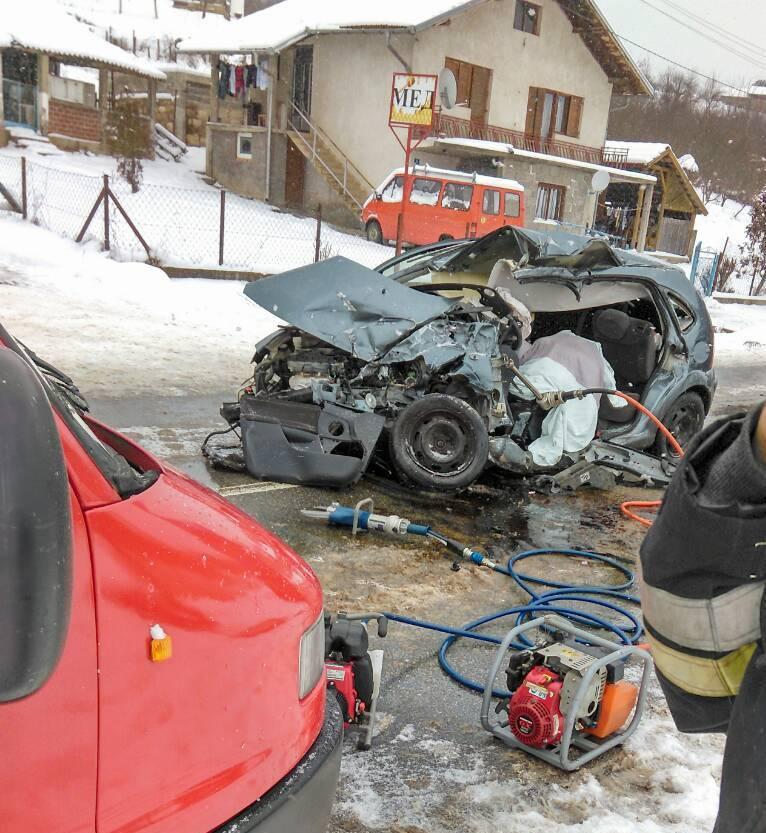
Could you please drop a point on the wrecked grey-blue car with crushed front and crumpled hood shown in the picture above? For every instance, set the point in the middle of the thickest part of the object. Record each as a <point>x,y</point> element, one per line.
<point>421,364</point>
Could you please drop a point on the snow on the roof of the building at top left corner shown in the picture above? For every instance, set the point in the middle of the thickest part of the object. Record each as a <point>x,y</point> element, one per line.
<point>42,27</point>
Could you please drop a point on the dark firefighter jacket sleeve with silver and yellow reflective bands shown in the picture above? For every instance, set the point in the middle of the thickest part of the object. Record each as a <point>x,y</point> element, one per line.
<point>703,571</point>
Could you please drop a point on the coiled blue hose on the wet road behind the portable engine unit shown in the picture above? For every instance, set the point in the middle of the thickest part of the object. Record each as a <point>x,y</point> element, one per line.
<point>611,598</point>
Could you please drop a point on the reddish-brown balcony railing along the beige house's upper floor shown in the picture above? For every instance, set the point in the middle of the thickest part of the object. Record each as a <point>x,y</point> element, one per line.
<point>450,127</point>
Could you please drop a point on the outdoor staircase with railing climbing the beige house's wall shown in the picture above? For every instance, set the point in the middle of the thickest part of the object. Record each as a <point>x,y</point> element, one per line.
<point>340,173</point>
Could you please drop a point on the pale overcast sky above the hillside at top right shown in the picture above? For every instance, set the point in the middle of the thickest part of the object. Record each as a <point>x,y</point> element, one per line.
<point>740,25</point>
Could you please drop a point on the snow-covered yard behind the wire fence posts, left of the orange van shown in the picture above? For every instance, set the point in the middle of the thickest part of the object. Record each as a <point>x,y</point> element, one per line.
<point>176,211</point>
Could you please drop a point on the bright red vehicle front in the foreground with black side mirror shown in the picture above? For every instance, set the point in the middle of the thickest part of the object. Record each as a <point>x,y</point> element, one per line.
<point>161,654</point>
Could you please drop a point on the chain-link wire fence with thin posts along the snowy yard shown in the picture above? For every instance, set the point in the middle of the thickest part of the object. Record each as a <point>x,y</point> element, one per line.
<point>203,228</point>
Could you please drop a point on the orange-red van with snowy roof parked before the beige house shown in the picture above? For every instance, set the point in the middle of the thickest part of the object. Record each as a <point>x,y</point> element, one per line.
<point>442,205</point>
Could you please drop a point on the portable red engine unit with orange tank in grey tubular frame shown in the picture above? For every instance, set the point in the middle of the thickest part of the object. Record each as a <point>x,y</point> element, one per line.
<point>567,692</point>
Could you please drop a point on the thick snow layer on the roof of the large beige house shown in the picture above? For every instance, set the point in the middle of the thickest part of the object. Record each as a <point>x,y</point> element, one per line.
<point>276,27</point>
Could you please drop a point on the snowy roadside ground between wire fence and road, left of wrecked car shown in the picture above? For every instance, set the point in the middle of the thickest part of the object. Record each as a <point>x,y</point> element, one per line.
<point>121,328</point>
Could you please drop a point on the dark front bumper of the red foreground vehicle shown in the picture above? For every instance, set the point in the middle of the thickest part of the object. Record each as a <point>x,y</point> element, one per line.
<point>302,801</point>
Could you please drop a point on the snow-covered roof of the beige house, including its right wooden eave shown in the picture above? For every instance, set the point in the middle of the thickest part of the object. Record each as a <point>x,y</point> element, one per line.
<point>284,24</point>
